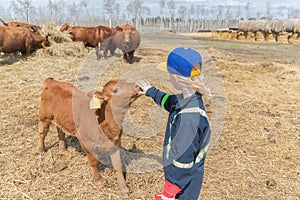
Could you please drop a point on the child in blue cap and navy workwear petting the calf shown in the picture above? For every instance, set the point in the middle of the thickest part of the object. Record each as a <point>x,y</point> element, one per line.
<point>188,132</point>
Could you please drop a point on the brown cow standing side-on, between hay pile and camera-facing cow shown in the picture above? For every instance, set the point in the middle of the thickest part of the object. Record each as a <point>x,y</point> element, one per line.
<point>90,36</point>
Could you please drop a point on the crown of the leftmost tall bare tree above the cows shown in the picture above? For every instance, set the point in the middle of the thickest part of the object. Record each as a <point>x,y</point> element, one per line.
<point>23,9</point>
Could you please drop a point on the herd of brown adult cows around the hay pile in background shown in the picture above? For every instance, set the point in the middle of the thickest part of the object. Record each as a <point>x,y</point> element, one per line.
<point>26,38</point>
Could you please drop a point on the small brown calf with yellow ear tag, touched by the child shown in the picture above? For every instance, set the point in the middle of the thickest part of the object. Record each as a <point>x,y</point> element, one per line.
<point>98,130</point>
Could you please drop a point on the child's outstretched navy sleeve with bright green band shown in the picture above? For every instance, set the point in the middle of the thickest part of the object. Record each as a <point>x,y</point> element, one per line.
<point>163,99</point>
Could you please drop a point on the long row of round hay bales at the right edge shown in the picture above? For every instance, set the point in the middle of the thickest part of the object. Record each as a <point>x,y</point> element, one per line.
<point>265,30</point>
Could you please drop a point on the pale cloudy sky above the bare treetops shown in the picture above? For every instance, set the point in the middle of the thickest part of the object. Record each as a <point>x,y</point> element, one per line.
<point>256,5</point>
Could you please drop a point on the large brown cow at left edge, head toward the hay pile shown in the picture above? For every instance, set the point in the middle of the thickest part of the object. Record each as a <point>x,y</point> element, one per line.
<point>14,39</point>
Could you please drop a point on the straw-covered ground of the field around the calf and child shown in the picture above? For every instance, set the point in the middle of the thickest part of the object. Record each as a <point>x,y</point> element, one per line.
<point>257,154</point>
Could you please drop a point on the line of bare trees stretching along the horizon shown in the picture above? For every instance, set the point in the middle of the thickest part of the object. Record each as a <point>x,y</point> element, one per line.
<point>171,16</point>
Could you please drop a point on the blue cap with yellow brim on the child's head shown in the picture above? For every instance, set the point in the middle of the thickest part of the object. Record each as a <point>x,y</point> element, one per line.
<point>183,62</point>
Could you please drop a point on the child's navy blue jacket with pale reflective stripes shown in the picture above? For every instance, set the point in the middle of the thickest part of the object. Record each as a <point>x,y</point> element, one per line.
<point>187,135</point>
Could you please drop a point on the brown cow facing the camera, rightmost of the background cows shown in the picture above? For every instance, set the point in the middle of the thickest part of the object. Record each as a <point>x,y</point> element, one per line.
<point>127,38</point>
